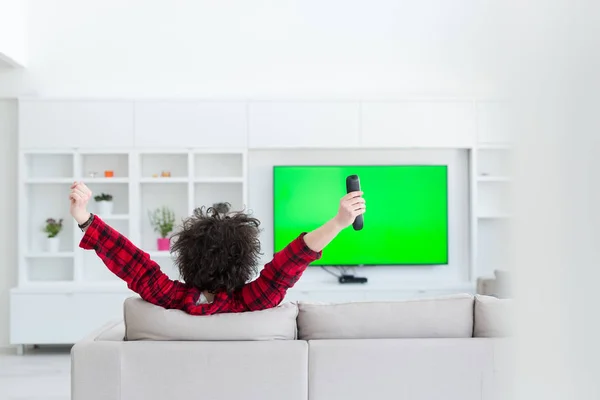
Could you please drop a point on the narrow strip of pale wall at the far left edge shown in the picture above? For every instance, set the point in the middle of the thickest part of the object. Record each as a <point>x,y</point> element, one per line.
<point>8,206</point>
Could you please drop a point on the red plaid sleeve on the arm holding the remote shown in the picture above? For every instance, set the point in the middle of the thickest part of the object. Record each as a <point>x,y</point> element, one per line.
<point>280,274</point>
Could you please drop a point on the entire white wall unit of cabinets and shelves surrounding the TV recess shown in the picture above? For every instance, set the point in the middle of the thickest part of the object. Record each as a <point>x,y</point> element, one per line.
<point>203,145</point>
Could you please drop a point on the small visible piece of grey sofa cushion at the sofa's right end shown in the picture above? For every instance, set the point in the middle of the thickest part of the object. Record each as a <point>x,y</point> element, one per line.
<point>492,316</point>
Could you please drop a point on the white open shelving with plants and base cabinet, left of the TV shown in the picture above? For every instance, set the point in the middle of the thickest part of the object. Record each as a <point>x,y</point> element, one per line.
<point>63,282</point>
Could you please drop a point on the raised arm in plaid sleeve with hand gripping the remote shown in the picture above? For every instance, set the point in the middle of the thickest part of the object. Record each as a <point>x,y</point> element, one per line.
<point>287,266</point>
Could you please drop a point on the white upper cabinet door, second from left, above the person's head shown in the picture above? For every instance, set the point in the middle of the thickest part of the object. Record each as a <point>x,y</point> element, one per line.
<point>190,124</point>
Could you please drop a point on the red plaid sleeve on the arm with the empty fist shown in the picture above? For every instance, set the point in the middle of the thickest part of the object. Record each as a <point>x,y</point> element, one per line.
<point>132,265</point>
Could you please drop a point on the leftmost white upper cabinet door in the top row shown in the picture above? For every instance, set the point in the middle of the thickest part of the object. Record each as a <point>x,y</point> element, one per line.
<point>50,124</point>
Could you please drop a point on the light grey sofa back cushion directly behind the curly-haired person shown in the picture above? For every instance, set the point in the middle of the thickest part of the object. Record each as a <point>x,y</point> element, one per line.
<point>145,321</point>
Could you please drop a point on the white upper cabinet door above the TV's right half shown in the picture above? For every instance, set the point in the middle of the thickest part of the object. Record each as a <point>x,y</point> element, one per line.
<point>418,124</point>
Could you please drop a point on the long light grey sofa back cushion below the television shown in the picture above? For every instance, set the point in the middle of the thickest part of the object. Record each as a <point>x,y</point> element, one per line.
<point>444,317</point>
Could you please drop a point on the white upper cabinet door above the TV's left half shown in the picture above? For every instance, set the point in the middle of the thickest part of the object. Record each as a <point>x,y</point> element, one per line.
<point>304,124</point>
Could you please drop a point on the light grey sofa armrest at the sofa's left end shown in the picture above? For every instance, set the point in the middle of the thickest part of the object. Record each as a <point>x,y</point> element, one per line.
<point>96,366</point>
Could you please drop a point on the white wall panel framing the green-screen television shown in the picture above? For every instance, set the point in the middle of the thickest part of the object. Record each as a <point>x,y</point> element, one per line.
<point>260,198</point>
